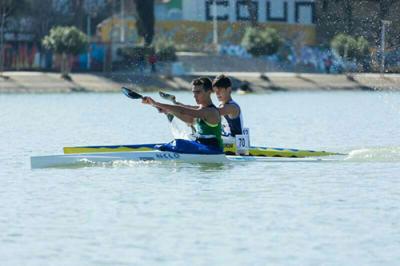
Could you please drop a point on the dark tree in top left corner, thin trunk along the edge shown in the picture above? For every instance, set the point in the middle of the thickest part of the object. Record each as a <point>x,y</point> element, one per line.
<point>8,8</point>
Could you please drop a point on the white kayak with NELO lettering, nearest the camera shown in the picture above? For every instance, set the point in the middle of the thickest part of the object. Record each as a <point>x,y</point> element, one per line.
<point>88,159</point>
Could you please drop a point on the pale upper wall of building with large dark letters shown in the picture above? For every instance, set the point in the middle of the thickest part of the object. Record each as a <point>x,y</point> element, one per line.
<point>284,11</point>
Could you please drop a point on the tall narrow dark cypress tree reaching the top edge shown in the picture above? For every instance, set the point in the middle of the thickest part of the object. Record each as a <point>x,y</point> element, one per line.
<point>145,20</point>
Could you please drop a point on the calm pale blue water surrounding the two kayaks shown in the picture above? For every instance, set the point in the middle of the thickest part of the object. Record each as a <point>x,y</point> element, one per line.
<point>330,213</point>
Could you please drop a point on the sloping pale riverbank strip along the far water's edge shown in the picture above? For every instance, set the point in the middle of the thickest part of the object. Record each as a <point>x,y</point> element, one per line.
<point>44,82</point>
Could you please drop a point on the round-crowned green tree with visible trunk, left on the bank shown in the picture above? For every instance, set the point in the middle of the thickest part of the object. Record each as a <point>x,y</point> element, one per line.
<point>66,41</point>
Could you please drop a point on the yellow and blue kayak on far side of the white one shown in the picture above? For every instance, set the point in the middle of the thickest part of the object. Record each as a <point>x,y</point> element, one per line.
<point>229,149</point>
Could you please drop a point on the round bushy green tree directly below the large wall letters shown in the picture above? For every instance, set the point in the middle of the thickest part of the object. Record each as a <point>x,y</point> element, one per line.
<point>260,42</point>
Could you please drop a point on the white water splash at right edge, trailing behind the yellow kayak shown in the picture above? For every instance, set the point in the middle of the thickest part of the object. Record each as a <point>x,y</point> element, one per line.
<point>378,154</point>
